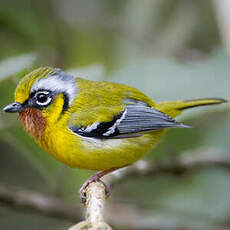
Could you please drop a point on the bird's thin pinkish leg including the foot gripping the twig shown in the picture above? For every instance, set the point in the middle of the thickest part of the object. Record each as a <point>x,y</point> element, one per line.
<point>94,178</point>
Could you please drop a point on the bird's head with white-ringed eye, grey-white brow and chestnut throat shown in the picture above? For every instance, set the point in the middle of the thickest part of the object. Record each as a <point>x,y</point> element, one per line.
<point>41,97</point>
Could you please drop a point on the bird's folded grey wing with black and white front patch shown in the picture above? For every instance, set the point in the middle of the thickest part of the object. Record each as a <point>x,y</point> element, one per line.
<point>132,121</point>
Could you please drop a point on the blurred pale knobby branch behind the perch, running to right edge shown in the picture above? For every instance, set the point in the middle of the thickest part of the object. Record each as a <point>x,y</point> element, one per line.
<point>188,162</point>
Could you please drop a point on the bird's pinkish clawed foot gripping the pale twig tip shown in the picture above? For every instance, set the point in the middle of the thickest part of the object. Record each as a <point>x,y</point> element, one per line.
<point>94,178</point>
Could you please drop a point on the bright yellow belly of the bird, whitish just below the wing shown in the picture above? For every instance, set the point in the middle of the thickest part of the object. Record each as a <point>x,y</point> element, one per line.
<point>95,154</point>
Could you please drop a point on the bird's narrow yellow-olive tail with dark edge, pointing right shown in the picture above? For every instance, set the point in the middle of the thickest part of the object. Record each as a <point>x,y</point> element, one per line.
<point>174,108</point>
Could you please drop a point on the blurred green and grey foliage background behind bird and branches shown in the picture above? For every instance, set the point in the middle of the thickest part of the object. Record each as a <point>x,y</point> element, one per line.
<point>170,49</point>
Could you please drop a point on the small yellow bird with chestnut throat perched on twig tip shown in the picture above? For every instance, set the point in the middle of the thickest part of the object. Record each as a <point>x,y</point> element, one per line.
<point>93,125</point>
